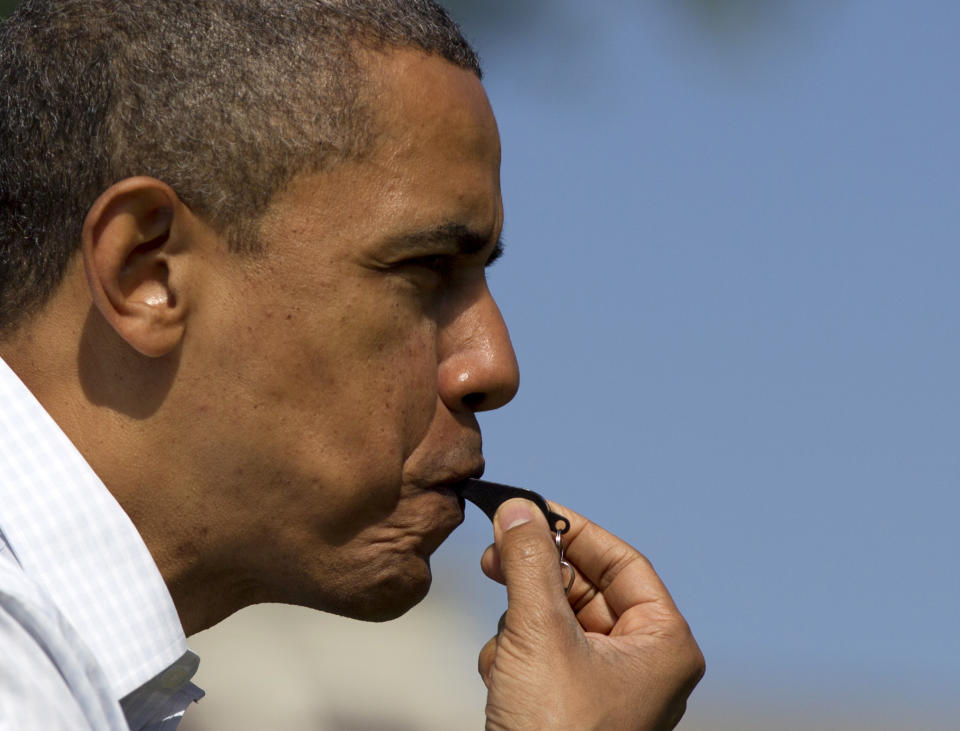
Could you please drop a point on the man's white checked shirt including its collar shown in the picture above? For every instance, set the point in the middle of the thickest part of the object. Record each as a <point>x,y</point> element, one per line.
<point>86,620</point>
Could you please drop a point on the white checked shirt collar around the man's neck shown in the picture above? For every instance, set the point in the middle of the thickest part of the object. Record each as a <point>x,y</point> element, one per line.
<point>72,537</point>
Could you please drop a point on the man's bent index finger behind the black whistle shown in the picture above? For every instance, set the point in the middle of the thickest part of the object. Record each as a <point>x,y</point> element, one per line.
<point>620,572</point>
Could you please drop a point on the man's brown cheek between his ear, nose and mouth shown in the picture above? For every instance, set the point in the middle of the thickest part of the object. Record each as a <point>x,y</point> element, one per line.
<point>325,404</point>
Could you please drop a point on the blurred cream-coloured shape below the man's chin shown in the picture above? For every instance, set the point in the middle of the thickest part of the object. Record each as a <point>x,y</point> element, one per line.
<point>274,666</point>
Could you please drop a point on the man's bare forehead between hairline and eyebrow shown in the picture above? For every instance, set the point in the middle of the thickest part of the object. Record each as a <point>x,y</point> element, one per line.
<point>433,159</point>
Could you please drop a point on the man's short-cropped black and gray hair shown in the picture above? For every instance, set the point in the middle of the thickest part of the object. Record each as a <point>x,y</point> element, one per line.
<point>224,100</point>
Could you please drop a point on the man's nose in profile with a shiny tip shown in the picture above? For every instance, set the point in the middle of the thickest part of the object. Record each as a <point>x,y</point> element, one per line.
<point>478,369</point>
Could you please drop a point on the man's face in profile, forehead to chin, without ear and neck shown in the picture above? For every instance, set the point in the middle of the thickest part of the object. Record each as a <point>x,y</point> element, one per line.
<point>350,359</point>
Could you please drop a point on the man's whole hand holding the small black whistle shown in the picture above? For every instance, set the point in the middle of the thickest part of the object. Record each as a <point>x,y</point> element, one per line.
<point>615,653</point>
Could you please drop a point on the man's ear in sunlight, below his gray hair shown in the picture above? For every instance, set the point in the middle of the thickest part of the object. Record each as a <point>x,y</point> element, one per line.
<point>133,249</point>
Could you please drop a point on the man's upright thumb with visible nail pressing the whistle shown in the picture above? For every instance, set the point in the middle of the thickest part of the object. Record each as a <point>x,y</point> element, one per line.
<point>530,566</point>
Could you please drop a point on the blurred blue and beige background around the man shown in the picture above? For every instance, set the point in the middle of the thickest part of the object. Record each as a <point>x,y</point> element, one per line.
<point>731,279</point>
